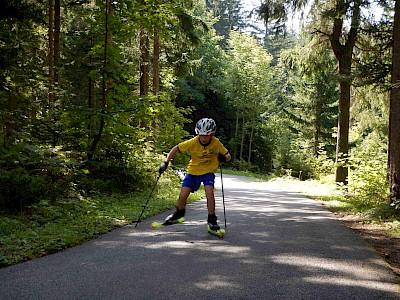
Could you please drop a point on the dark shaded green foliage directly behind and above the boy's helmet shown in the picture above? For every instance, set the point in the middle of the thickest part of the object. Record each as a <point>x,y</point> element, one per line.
<point>202,90</point>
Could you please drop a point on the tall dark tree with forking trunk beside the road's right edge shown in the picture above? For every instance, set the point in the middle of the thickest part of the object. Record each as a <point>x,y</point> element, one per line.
<point>340,22</point>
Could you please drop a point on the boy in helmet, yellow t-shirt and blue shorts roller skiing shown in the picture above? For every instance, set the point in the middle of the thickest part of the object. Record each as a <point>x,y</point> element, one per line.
<point>206,151</point>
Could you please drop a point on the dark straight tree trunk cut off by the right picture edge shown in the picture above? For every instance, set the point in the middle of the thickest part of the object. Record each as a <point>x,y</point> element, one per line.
<point>394,116</point>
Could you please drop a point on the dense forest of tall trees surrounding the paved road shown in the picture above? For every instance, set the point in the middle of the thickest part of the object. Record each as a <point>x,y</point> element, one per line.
<point>94,93</point>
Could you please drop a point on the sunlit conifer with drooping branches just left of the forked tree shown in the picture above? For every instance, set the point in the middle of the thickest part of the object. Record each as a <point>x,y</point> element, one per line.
<point>311,110</point>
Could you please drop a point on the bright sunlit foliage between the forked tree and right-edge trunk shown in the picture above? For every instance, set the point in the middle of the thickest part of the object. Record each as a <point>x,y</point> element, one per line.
<point>368,180</point>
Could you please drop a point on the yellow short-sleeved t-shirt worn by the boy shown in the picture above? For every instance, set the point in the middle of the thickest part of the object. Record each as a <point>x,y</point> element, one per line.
<point>203,159</point>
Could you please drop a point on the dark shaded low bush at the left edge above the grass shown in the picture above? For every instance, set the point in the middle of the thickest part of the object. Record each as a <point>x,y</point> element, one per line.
<point>30,173</point>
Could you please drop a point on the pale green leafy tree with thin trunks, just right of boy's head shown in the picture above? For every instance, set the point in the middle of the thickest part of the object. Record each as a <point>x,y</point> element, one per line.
<point>249,75</point>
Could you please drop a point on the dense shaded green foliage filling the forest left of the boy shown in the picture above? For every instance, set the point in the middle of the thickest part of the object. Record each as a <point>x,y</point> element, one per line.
<point>98,135</point>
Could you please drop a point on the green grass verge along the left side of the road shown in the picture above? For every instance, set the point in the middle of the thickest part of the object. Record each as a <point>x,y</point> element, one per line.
<point>49,227</point>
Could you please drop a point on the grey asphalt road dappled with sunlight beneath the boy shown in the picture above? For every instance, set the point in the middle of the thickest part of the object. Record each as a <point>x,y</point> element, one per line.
<point>278,245</point>
